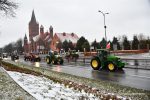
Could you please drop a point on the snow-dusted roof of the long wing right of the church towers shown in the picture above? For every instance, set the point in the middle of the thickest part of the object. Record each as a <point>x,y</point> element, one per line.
<point>68,36</point>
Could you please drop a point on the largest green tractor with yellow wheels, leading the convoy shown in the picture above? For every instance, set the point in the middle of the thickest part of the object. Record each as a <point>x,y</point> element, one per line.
<point>104,60</point>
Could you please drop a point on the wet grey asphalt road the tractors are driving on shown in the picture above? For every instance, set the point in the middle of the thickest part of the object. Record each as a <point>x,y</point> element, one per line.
<point>136,78</point>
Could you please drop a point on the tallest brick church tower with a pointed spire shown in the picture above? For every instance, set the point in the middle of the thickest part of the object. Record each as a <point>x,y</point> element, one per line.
<point>33,27</point>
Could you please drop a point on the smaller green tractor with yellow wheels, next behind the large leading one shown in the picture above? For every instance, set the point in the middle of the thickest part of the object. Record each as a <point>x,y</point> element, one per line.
<point>54,58</point>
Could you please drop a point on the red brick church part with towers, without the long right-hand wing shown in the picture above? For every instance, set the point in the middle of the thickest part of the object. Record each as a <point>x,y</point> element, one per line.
<point>39,41</point>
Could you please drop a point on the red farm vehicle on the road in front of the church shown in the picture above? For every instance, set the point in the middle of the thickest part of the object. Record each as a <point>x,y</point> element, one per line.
<point>32,57</point>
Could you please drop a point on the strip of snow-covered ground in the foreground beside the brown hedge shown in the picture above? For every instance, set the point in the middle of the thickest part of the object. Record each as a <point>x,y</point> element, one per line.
<point>45,89</point>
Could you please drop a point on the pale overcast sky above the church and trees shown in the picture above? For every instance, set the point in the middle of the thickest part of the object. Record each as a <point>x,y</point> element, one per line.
<point>127,17</point>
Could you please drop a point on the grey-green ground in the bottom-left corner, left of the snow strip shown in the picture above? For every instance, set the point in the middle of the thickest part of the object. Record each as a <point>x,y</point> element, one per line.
<point>10,90</point>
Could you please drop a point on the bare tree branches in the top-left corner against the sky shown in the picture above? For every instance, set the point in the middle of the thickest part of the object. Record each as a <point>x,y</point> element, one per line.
<point>8,7</point>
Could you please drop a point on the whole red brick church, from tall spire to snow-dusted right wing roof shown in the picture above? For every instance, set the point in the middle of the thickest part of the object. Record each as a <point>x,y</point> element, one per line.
<point>40,41</point>
